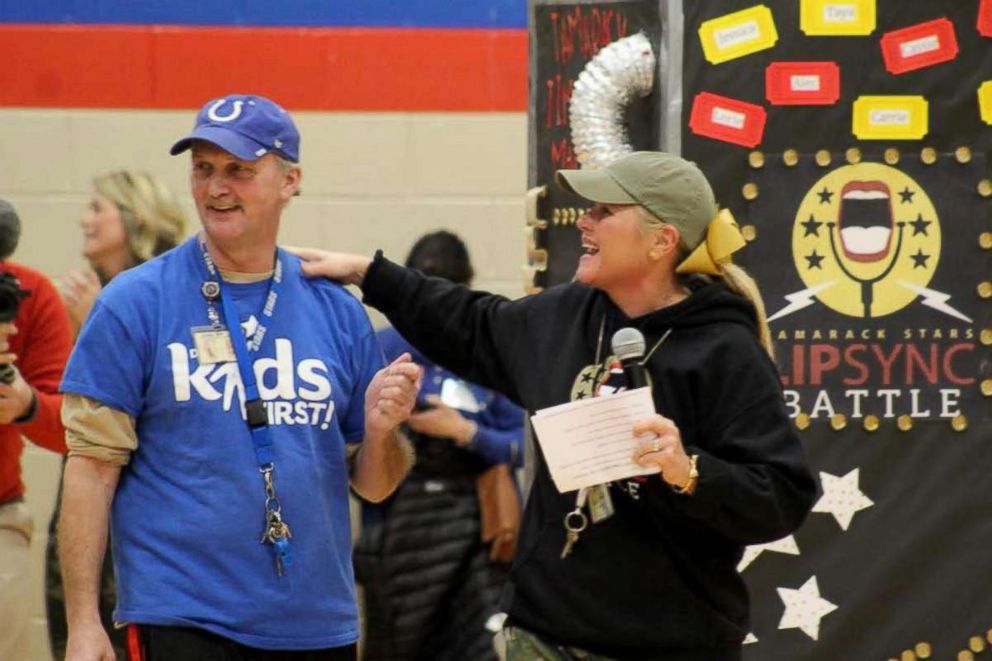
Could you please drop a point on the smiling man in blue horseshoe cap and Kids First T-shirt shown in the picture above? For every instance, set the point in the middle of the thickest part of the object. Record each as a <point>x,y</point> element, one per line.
<point>217,405</point>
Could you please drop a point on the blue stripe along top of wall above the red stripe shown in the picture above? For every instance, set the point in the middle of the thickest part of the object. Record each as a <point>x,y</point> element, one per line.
<point>339,13</point>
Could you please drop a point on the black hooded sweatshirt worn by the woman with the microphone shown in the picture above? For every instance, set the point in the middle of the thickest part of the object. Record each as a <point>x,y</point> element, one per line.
<point>658,579</point>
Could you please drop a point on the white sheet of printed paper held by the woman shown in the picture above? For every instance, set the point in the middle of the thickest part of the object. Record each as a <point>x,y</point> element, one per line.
<point>590,441</point>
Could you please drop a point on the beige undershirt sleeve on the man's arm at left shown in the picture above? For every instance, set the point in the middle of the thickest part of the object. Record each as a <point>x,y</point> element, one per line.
<point>97,431</point>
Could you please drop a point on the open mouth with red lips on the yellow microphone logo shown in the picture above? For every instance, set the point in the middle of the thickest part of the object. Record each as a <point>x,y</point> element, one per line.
<point>865,220</point>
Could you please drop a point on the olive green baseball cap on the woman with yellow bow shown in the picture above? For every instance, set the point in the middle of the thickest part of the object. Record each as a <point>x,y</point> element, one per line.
<point>671,188</point>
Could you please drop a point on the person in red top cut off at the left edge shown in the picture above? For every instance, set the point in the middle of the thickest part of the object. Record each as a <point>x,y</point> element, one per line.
<point>34,344</point>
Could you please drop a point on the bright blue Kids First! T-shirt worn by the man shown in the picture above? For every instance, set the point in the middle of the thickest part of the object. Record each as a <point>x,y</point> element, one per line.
<point>188,512</point>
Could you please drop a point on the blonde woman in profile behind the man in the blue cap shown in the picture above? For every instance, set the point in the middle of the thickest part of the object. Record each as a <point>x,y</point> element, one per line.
<point>131,217</point>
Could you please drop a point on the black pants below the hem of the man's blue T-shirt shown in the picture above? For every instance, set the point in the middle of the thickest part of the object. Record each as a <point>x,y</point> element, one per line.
<point>153,643</point>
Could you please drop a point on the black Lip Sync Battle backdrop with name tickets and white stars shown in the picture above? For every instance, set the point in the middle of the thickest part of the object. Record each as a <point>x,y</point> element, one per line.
<point>873,256</point>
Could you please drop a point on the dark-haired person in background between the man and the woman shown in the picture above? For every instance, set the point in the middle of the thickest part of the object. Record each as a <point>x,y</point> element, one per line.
<point>431,573</point>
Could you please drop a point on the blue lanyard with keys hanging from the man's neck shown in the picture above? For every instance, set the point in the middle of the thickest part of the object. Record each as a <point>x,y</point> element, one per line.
<point>276,530</point>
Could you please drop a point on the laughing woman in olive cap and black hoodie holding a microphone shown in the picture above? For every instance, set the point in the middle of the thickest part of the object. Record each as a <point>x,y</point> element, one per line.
<point>652,572</point>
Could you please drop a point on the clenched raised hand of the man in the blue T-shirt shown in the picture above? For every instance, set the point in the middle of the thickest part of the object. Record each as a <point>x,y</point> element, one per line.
<point>390,397</point>
